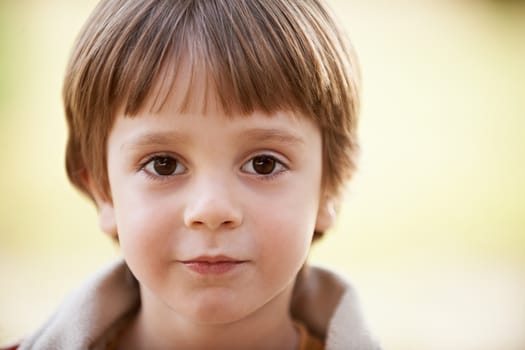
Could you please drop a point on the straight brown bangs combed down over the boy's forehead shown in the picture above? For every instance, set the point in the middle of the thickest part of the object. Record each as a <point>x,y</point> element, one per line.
<point>252,56</point>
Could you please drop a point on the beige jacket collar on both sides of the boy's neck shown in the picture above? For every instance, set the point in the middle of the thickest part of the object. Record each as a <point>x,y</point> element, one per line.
<point>323,301</point>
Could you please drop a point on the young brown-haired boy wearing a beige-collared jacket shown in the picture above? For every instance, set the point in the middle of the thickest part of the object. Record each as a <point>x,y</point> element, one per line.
<point>214,137</point>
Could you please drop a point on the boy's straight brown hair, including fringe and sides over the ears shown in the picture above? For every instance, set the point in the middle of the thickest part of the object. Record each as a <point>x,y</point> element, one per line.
<point>260,55</point>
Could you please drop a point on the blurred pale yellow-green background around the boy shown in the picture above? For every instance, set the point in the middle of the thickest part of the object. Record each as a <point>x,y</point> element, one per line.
<point>432,231</point>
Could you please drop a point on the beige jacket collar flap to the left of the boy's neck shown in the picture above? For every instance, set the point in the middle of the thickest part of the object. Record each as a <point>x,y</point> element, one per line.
<point>88,313</point>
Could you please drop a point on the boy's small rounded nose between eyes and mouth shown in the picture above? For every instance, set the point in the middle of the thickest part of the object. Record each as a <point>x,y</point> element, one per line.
<point>212,206</point>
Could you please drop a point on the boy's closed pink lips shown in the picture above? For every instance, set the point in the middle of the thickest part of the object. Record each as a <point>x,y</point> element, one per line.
<point>213,265</point>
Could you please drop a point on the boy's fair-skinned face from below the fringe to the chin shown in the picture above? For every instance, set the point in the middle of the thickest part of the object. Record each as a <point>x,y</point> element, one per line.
<point>214,214</point>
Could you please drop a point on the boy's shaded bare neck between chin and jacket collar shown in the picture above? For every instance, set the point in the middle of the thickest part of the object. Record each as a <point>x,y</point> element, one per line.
<point>270,327</point>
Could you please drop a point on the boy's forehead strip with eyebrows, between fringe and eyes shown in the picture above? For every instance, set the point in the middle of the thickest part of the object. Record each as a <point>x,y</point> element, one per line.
<point>194,127</point>
